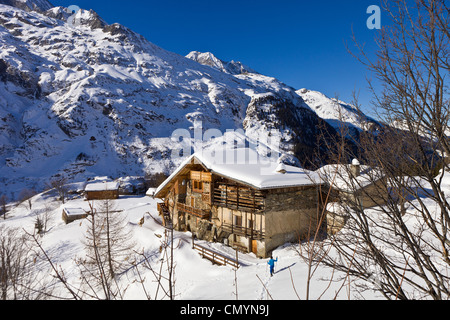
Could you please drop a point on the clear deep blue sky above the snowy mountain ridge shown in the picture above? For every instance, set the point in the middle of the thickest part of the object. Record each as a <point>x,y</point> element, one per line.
<point>302,43</point>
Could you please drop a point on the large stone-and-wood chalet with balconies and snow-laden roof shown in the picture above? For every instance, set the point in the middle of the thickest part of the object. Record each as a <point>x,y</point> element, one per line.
<point>252,207</point>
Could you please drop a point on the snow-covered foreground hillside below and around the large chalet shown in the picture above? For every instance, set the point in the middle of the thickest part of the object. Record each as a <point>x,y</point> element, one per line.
<point>197,278</point>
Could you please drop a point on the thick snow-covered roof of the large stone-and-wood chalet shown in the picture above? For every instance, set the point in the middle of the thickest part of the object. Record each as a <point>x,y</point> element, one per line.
<point>245,166</point>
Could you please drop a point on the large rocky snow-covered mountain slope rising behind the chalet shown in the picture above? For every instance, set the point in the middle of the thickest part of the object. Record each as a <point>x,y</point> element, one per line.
<point>79,97</point>
